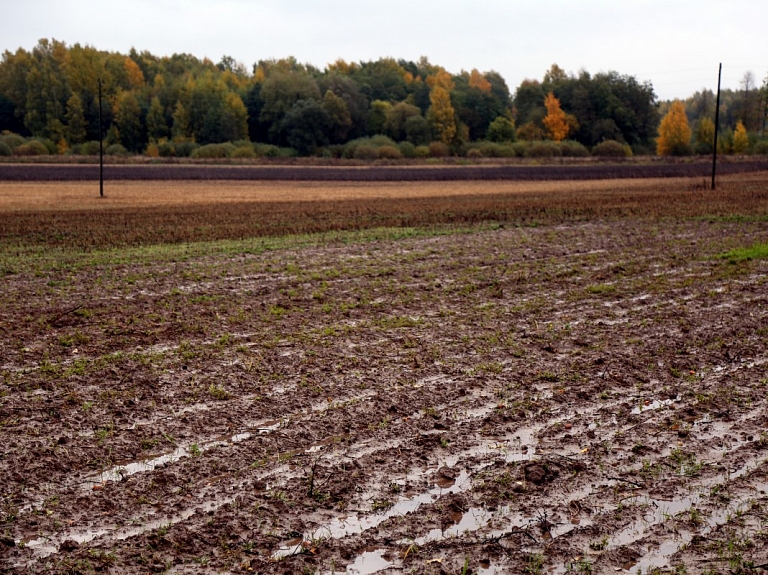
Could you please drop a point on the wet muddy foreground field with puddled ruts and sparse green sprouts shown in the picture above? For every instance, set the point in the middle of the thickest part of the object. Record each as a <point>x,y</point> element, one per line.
<point>582,396</point>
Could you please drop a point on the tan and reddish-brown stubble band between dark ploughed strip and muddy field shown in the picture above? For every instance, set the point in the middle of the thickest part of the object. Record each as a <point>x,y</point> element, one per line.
<point>72,215</point>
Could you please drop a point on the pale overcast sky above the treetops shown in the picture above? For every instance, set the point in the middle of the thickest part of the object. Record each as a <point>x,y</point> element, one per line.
<point>675,44</point>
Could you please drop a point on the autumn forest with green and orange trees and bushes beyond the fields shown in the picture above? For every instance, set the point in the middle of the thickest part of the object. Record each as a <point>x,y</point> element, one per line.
<point>384,109</point>
